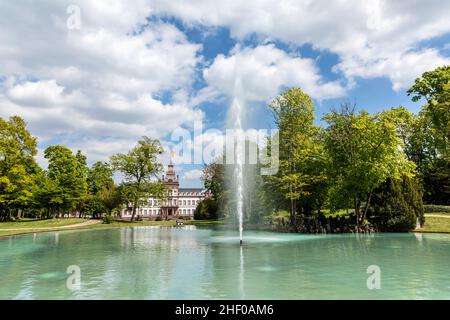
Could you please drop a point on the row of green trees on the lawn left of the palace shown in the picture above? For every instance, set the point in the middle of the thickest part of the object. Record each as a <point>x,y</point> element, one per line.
<point>69,186</point>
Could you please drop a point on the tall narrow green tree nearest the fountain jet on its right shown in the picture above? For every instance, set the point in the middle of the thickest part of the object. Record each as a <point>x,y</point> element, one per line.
<point>300,148</point>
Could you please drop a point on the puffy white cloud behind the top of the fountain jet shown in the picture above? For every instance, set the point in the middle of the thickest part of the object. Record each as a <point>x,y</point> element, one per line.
<point>264,70</point>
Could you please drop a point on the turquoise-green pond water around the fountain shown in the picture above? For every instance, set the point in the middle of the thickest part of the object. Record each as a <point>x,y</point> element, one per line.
<point>193,263</point>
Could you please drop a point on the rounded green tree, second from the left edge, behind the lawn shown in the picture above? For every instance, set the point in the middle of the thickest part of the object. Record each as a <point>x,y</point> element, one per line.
<point>68,175</point>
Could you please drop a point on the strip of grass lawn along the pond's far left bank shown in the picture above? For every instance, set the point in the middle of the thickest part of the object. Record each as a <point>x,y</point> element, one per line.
<point>32,226</point>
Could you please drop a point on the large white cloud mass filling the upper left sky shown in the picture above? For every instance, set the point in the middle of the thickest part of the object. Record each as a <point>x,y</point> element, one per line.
<point>95,88</point>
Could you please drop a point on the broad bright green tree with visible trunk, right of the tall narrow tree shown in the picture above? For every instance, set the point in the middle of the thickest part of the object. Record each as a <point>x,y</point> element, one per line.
<point>364,151</point>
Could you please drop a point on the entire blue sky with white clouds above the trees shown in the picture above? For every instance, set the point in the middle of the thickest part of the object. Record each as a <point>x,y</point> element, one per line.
<point>98,75</point>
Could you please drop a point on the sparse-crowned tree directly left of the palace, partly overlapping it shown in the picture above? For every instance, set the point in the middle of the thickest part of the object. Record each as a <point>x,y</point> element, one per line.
<point>140,167</point>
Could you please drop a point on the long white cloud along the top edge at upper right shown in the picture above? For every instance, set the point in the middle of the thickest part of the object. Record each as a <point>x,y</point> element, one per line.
<point>372,38</point>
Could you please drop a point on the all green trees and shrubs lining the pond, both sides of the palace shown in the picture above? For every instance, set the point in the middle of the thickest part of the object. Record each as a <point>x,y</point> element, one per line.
<point>356,171</point>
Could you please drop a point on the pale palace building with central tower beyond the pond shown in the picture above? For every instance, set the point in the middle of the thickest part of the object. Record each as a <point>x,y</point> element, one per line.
<point>179,202</point>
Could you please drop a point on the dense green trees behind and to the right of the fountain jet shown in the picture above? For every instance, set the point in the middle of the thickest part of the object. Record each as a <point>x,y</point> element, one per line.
<point>378,165</point>
